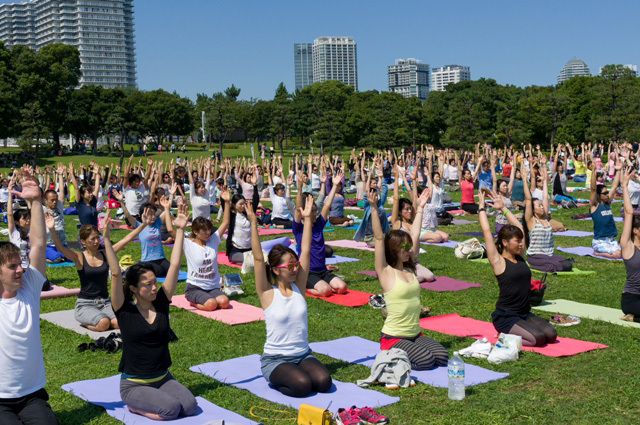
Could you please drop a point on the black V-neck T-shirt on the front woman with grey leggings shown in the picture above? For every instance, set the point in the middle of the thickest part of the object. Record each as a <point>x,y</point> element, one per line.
<point>145,347</point>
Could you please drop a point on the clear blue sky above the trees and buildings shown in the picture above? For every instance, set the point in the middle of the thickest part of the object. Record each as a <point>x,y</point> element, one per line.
<point>194,46</point>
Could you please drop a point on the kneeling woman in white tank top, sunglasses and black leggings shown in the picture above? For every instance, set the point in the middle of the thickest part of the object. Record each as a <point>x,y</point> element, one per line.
<point>287,362</point>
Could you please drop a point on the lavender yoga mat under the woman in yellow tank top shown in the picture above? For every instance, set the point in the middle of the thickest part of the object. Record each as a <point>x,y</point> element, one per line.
<point>354,349</point>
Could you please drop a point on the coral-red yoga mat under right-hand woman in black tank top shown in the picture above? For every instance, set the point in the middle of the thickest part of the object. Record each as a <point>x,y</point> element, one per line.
<point>452,324</point>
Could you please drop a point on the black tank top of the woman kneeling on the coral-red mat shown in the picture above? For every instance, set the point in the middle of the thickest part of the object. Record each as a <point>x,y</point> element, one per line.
<point>515,287</point>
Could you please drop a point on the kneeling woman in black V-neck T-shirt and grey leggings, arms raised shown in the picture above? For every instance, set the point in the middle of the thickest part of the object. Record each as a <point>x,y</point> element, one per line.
<point>142,308</point>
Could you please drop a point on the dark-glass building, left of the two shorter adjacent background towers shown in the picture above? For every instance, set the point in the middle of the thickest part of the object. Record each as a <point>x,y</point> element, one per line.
<point>409,77</point>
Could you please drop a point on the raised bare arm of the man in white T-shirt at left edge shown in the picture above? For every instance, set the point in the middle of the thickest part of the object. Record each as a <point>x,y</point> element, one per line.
<point>37,233</point>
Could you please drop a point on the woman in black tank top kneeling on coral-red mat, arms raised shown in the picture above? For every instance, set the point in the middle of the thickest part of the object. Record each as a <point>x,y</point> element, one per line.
<point>513,312</point>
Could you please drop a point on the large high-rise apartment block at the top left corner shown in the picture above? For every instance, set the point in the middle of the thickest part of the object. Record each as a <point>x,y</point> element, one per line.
<point>102,30</point>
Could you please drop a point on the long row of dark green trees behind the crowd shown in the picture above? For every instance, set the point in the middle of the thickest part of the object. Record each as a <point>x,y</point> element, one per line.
<point>39,99</point>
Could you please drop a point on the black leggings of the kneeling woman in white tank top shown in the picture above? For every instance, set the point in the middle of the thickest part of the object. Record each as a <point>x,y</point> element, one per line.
<point>298,380</point>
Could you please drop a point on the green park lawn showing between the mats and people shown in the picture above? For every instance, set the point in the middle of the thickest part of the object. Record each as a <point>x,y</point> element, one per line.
<point>593,387</point>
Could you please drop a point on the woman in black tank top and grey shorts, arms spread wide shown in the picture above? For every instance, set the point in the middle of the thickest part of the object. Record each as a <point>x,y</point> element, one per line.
<point>93,308</point>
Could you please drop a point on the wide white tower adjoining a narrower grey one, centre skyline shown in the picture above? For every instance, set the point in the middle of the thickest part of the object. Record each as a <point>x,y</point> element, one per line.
<point>335,58</point>
